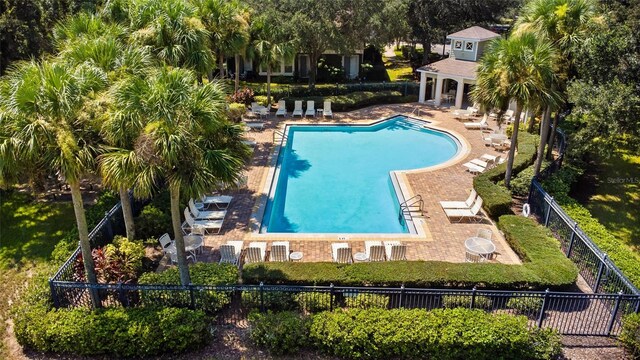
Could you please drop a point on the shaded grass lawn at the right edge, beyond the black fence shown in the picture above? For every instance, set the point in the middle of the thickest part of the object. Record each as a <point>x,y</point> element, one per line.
<point>615,201</point>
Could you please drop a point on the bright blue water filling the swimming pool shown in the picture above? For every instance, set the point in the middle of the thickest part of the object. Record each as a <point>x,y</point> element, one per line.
<point>335,179</point>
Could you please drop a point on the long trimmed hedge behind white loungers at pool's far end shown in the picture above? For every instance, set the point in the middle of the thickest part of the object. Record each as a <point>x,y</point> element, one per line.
<point>355,100</point>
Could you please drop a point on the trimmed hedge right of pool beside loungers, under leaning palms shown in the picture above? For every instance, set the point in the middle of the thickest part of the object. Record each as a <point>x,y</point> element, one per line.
<point>497,198</point>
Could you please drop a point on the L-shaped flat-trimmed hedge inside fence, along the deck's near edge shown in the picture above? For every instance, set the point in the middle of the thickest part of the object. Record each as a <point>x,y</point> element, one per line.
<point>544,266</point>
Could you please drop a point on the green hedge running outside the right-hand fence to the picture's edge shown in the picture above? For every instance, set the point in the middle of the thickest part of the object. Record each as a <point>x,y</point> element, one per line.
<point>626,260</point>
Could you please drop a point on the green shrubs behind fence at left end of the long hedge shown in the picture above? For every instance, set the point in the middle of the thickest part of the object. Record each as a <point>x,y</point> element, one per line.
<point>201,274</point>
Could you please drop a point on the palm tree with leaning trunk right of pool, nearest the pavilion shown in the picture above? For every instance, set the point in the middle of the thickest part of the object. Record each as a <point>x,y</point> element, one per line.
<point>520,68</point>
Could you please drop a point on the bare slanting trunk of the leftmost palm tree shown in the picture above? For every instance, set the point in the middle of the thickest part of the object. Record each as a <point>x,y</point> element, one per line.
<point>85,245</point>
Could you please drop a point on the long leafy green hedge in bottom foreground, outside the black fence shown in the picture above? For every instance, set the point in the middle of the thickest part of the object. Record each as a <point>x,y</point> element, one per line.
<point>438,334</point>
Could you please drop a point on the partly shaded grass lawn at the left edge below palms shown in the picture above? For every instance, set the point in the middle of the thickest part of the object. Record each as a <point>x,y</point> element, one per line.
<point>28,233</point>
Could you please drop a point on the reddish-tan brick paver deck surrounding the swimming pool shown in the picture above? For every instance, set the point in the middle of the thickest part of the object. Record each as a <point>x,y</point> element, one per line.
<point>445,240</point>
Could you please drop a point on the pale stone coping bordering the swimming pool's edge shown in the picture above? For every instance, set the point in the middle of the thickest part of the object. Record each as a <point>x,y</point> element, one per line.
<point>403,188</point>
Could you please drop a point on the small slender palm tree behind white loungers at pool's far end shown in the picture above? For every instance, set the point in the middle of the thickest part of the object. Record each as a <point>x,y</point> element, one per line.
<point>271,45</point>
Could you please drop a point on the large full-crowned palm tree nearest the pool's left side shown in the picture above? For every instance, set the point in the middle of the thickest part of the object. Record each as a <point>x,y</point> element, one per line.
<point>185,141</point>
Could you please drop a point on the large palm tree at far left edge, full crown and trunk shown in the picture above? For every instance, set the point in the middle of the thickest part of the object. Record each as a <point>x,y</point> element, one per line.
<point>42,112</point>
